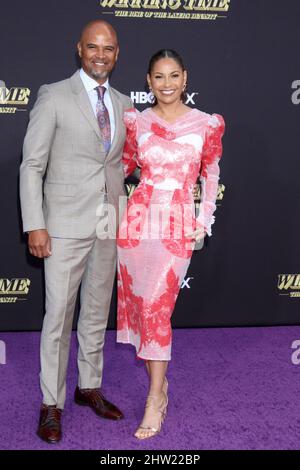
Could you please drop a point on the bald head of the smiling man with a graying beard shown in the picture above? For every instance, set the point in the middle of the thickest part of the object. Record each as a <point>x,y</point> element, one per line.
<point>98,49</point>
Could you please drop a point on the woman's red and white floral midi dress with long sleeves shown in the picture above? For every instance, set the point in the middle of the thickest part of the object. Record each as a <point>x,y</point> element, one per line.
<point>154,251</point>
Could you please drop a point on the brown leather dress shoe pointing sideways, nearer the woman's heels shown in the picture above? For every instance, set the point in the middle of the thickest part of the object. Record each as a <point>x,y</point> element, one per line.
<point>93,398</point>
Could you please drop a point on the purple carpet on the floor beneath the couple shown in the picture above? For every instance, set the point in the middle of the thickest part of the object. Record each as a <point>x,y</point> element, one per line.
<point>230,388</point>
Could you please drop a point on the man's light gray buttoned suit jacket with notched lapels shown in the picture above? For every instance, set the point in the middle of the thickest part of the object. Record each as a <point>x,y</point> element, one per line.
<point>65,168</point>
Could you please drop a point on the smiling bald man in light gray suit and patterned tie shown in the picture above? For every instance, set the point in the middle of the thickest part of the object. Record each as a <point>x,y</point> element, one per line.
<point>71,167</point>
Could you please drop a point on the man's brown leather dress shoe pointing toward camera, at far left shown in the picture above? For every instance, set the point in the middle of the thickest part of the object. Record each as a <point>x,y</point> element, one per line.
<point>49,425</point>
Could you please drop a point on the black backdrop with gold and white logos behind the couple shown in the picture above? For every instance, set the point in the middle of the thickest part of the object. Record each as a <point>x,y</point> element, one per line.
<point>242,60</point>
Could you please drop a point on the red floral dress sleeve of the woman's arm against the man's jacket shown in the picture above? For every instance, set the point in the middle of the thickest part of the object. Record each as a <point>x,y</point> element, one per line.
<point>130,150</point>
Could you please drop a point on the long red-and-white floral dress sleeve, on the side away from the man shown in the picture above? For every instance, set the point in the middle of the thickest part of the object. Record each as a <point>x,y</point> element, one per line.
<point>210,171</point>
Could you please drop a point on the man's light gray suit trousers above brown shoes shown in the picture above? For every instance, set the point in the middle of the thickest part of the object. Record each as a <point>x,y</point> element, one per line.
<point>91,262</point>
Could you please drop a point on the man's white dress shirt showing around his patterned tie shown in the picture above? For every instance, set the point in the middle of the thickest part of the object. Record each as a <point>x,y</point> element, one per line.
<point>90,84</point>
